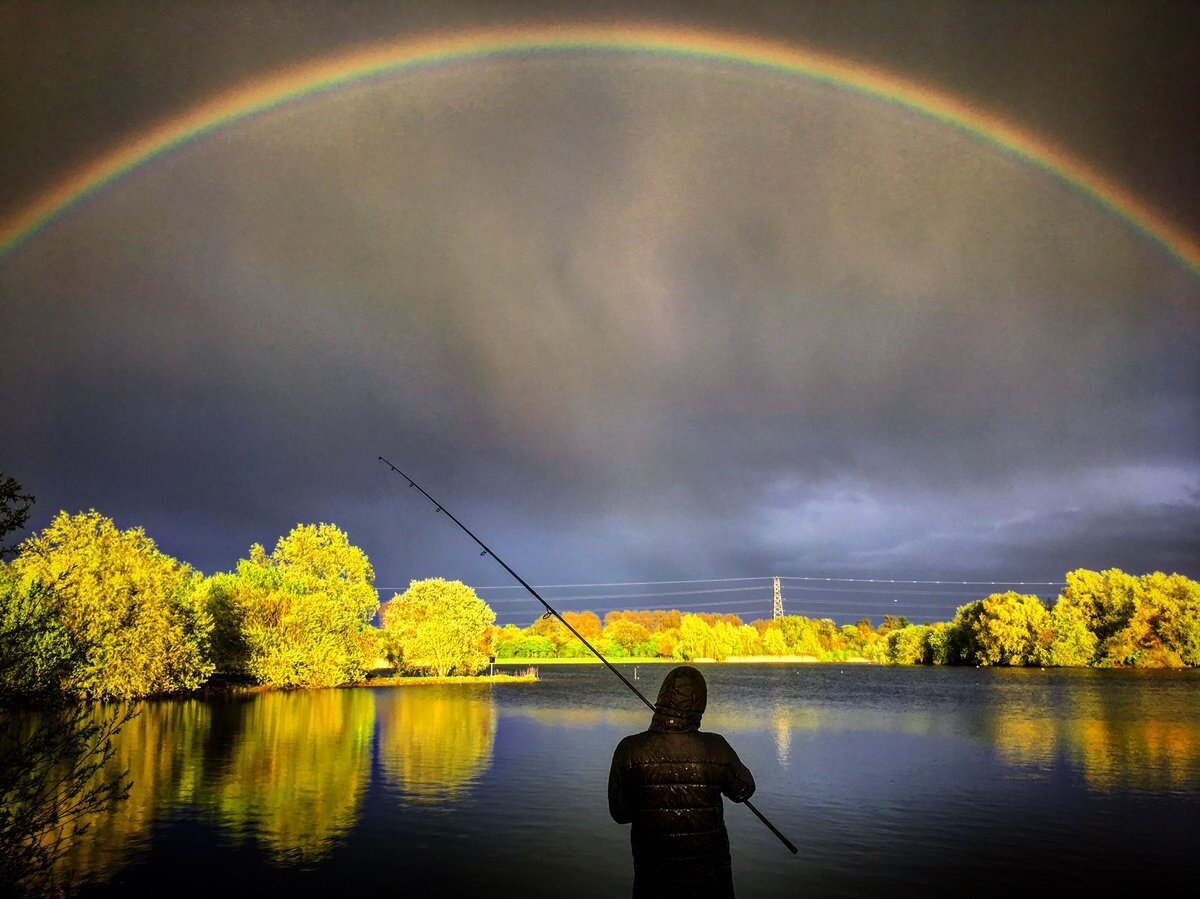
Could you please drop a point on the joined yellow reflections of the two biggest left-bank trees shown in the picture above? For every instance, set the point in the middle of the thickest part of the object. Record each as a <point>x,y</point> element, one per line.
<point>295,774</point>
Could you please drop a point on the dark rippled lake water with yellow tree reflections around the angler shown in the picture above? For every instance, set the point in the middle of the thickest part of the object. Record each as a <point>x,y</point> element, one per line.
<point>933,782</point>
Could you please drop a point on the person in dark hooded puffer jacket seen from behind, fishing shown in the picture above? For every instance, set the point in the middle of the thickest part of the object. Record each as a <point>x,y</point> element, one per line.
<point>668,782</point>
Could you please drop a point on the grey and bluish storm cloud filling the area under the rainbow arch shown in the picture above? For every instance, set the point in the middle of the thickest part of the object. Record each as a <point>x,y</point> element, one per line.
<point>633,320</point>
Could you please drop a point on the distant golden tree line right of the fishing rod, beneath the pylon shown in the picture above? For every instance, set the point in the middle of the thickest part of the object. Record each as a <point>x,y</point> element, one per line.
<point>1101,619</point>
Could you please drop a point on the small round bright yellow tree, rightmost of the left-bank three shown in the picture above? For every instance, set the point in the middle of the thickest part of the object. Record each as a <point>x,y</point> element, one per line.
<point>439,626</point>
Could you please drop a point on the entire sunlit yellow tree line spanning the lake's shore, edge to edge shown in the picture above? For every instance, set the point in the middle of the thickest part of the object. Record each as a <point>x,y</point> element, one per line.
<point>111,616</point>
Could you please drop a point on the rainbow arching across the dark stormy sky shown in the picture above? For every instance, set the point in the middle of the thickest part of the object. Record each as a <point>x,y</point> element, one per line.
<point>707,47</point>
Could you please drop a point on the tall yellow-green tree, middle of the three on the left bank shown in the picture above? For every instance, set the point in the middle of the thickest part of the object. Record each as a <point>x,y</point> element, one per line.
<point>301,615</point>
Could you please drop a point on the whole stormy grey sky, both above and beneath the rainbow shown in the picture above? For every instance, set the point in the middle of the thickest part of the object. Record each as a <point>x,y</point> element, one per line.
<point>631,319</point>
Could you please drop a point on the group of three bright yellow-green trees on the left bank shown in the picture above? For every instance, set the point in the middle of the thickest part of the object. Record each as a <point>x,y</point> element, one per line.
<point>136,622</point>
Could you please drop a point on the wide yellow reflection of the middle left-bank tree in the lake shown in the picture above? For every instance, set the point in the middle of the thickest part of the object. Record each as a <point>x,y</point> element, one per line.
<point>298,771</point>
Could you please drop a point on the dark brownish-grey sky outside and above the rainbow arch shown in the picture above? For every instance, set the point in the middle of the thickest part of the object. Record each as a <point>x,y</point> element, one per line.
<point>1113,81</point>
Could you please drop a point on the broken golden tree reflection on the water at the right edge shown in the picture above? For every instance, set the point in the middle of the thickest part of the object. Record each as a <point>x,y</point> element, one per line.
<point>1119,734</point>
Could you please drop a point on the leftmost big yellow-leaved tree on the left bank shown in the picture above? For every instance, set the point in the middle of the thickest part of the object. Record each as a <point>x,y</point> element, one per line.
<point>139,612</point>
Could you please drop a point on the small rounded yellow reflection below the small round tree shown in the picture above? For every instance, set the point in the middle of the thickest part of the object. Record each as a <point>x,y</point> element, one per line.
<point>434,744</point>
